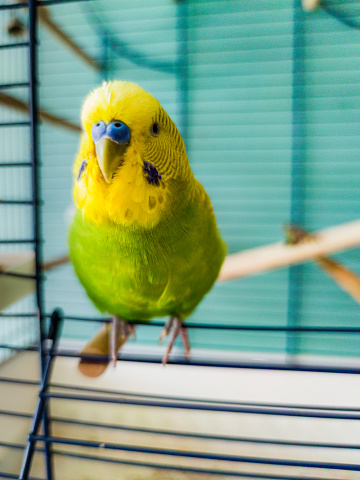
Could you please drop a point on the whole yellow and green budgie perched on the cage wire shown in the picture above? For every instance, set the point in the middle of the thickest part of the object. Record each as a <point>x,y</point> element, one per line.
<point>143,241</point>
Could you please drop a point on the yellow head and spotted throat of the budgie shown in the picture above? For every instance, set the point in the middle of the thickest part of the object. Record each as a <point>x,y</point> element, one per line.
<point>132,162</point>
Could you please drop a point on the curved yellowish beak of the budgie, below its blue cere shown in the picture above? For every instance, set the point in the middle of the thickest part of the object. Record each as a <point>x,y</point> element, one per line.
<point>110,156</point>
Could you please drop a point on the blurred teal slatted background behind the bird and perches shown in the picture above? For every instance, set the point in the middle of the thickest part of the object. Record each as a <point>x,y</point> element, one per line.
<point>240,144</point>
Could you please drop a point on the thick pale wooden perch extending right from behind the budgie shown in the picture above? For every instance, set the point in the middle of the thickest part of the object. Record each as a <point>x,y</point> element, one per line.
<point>277,255</point>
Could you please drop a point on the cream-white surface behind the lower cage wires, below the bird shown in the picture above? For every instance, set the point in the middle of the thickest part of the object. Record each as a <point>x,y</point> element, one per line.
<point>194,382</point>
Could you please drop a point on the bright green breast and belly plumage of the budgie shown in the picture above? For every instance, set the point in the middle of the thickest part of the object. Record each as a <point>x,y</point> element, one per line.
<point>141,273</point>
